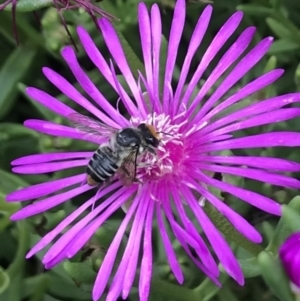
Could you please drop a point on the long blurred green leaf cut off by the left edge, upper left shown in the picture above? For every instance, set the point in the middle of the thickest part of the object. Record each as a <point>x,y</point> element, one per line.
<point>14,69</point>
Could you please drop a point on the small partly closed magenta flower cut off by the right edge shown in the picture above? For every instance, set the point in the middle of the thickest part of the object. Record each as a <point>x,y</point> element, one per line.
<point>289,254</point>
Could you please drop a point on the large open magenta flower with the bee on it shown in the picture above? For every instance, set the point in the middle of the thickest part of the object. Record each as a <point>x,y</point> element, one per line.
<point>187,156</point>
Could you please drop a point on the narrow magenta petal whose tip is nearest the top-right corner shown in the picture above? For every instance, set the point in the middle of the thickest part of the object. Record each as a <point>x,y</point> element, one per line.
<point>245,64</point>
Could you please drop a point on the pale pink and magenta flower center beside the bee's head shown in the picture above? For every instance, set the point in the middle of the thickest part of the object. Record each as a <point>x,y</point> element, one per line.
<point>169,154</point>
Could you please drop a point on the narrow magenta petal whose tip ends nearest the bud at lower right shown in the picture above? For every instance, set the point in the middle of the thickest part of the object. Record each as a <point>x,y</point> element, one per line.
<point>236,220</point>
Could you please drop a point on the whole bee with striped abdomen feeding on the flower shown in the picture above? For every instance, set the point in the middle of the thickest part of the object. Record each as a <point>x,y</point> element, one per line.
<point>121,151</point>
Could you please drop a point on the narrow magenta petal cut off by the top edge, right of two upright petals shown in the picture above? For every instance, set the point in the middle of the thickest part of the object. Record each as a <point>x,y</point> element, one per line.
<point>174,40</point>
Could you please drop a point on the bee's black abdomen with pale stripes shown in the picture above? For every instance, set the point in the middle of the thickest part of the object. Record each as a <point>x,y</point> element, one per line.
<point>102,166</point>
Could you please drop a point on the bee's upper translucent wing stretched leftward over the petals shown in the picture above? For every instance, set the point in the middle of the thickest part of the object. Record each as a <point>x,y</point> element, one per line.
<point>91,126</point>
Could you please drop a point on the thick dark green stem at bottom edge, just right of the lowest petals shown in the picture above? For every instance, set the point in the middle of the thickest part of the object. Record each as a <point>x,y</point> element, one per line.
<point>174,292</point>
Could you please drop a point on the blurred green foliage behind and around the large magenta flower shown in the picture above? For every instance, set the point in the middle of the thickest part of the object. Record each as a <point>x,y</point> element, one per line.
<point>41,37</point>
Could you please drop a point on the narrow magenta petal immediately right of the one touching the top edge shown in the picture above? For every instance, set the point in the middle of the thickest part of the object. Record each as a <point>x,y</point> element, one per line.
<point>195,41</point>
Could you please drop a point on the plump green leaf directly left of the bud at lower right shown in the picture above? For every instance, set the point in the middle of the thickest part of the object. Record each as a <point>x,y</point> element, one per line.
<point>274,276</point>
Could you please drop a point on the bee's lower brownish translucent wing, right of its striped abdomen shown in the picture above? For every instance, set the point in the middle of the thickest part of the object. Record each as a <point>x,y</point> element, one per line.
<point>127,170</point>
